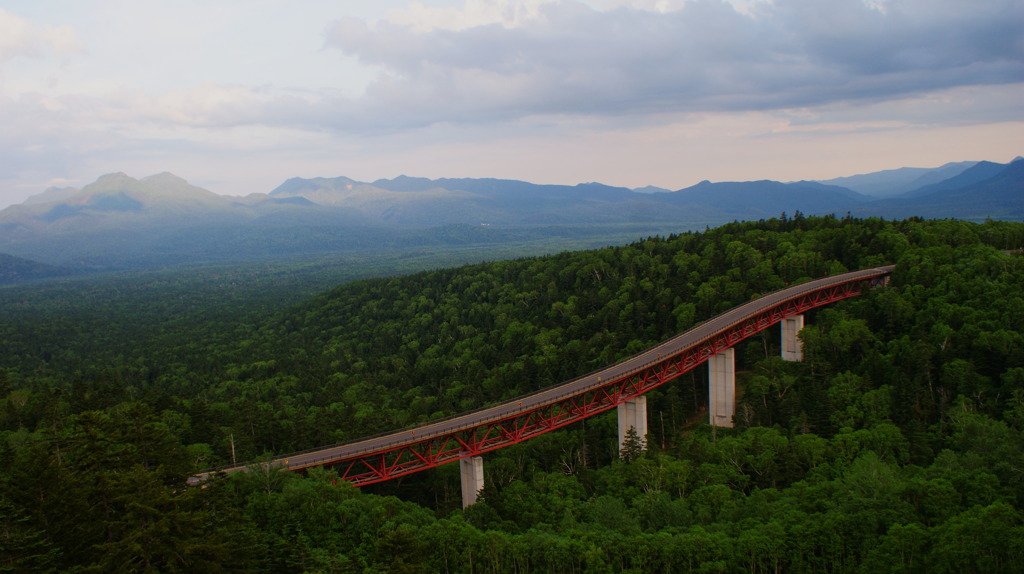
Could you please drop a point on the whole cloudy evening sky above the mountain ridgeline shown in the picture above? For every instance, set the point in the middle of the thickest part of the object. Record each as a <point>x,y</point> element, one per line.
<point>239,96</point>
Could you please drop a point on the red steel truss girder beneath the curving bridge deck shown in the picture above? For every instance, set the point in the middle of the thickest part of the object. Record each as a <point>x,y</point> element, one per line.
<point>408,459</point>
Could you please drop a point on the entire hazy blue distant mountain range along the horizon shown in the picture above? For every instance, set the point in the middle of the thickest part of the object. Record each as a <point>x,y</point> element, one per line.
<point>122,223</point>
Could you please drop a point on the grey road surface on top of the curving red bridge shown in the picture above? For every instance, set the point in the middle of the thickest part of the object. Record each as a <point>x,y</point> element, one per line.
<point>696,336</point>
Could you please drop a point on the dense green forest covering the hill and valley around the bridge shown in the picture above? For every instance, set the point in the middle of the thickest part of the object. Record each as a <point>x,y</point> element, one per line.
<point>898,446</point>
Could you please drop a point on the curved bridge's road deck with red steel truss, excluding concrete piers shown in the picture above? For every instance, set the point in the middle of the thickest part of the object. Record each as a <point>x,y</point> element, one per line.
<point>409,451</point>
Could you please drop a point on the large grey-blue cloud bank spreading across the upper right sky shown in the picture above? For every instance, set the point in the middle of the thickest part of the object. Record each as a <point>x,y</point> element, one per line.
<point>569,58</point>
